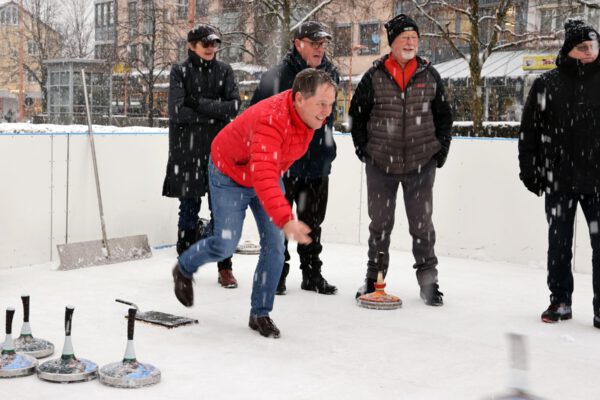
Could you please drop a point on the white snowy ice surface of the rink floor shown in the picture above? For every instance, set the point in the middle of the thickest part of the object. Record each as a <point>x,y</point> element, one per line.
<point>329,347</point>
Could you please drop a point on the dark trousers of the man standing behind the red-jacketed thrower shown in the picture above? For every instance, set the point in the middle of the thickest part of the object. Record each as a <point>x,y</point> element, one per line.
<point>310,197</point>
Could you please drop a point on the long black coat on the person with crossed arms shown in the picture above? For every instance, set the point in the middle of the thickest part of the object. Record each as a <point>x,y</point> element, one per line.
<point>203,98</point>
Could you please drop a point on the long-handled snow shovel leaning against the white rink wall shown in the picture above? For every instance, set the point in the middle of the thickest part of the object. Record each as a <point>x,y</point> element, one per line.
<point>99,252</point>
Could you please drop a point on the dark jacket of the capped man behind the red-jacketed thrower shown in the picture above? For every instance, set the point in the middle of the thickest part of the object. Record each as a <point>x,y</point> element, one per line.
<point>321,152</point>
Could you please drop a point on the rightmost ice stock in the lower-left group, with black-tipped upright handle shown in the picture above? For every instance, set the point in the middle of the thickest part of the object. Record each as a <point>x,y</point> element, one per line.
<point>129,373</point>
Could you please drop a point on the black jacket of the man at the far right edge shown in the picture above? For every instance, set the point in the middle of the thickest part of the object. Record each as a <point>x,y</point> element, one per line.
<point>559,145</point>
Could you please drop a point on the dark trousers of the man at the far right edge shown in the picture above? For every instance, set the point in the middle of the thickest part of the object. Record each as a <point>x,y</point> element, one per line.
<point>560,213</point>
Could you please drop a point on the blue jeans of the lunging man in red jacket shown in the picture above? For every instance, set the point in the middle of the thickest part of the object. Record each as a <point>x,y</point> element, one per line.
<point>229,203</point>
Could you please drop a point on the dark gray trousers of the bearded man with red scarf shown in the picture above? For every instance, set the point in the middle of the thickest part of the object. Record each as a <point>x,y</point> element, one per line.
<point>417,187</point>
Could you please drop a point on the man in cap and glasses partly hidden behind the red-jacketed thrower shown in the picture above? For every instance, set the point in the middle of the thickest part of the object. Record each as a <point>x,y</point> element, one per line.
<point>307,181</point>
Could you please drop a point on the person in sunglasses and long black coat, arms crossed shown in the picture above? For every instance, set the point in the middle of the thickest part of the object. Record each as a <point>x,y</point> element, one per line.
<point>203,98</point>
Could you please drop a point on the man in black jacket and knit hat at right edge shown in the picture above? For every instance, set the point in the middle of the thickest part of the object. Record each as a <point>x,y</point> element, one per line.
<point>559,155</point>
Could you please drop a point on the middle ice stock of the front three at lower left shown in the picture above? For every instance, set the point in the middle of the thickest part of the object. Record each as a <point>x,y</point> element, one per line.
<point>68,368</point>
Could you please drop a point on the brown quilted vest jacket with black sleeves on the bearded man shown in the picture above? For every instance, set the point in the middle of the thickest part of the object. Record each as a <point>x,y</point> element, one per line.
<point>400,131</point>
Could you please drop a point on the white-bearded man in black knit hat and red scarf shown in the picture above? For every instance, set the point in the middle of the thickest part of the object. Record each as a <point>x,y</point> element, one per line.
<point>401,124</point>
